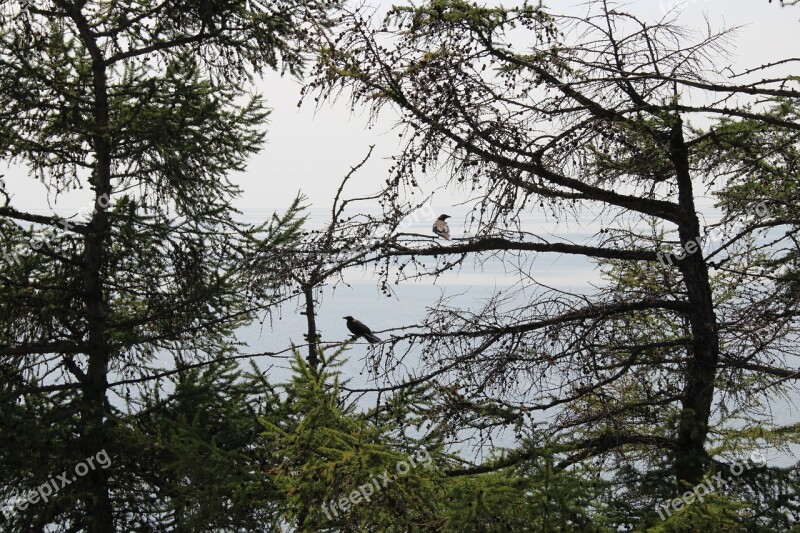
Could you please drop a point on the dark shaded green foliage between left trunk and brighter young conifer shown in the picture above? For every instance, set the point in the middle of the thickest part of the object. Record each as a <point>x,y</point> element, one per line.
<point>193,450</point>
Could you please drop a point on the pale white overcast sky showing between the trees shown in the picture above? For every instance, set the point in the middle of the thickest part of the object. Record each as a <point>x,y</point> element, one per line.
<point>309,149</point>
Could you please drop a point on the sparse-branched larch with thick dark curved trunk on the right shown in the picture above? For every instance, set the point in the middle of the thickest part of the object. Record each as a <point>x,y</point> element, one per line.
<point>629,121</point>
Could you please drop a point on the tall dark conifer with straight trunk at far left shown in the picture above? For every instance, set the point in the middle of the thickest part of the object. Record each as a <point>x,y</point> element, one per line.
<point>147,106</point>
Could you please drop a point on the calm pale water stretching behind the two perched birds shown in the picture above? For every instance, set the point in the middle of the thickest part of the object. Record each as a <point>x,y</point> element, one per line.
<point>361,296</point>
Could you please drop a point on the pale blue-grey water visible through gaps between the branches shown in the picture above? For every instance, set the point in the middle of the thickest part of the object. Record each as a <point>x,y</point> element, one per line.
<point>360,296</point>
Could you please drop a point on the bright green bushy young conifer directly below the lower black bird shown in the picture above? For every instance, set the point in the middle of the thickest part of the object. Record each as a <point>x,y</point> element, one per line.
<point>327,451</point>
